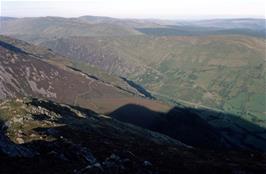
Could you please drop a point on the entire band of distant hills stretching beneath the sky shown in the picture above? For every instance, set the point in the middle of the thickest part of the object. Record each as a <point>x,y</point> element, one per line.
<point>41,29</point>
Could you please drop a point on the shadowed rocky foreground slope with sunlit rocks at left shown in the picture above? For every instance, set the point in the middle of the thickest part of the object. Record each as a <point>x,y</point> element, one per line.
<point>58,138</point>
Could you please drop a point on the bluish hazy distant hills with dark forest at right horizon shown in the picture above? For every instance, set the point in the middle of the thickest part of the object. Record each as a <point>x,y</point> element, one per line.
<point>250,27</point>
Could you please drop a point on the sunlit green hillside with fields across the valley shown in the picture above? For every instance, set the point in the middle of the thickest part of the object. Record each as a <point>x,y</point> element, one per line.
<point>223,72</point>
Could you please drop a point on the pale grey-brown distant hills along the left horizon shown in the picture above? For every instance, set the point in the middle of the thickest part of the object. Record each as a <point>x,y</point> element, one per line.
<point>43,28</point>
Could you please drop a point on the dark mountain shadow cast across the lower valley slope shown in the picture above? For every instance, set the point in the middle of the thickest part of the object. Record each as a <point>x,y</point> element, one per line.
<point>197,127</point>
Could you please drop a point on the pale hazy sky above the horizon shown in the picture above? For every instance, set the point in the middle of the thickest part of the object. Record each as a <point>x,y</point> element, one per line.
<point>135,8</point>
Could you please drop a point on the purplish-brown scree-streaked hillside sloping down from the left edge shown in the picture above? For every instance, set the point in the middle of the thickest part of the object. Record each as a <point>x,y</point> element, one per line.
<point>25,72</point>
